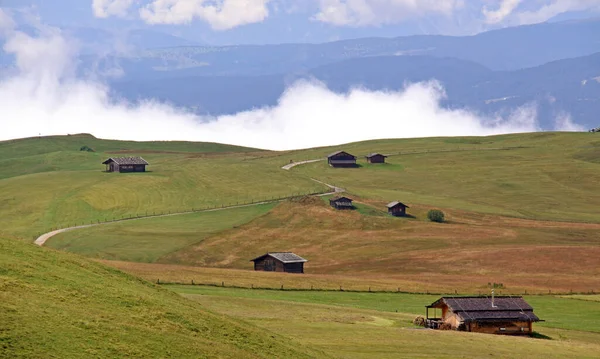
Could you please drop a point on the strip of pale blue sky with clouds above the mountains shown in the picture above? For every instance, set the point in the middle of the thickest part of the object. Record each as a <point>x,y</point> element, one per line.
<point>277,21</point>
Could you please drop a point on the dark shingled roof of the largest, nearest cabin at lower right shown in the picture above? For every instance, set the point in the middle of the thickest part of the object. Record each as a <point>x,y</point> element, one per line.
<point>480,308</point>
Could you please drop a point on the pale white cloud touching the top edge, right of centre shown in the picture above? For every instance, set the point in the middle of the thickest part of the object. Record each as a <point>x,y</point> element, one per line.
<point>375,12</point>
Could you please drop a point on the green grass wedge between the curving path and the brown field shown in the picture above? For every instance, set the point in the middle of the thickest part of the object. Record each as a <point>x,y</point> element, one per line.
<point>149,240</point>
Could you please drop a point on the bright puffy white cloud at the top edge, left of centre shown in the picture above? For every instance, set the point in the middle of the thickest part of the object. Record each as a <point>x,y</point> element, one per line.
<point>219,14</point>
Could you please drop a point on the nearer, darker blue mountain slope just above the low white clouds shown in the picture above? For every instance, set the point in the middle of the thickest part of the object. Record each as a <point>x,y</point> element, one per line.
<point>571,85</point>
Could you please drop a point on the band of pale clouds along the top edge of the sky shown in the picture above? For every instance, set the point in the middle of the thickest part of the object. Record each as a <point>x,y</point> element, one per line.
<point>227,14</point>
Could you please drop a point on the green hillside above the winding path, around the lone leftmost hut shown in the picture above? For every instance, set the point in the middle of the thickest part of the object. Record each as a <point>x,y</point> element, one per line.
<point>48,182</point>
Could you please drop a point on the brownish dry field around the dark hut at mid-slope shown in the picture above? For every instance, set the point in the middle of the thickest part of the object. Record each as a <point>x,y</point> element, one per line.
<point>359,251</point>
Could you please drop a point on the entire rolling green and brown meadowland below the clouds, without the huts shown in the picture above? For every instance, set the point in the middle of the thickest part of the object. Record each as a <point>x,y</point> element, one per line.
<point>521,209</point>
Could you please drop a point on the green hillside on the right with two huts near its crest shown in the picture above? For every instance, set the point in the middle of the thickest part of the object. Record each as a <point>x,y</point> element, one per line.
<point>551,176</point>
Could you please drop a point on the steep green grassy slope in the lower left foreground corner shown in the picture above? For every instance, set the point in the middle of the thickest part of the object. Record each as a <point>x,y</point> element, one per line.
<point>54,304</point>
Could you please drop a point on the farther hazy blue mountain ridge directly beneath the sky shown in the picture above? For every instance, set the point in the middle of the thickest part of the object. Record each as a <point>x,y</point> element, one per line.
<point>506,49</point>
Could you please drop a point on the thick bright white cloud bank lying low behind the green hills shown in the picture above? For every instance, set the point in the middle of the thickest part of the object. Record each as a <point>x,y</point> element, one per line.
<point>44,97</point>
